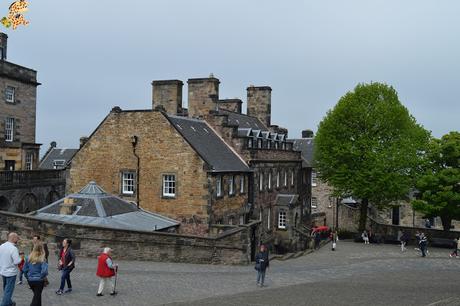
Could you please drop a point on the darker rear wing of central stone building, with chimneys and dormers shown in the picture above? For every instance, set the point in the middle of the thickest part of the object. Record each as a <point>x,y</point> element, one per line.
<point>278,187</point>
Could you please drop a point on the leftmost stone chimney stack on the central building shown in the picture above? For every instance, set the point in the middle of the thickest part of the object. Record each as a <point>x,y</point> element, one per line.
<point>168,94</point>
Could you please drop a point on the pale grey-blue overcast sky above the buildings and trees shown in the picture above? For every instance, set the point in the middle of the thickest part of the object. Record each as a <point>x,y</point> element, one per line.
<point>93,55</point>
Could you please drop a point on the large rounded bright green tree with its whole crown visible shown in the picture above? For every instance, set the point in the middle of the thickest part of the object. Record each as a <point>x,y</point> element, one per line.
<point>369,147</point>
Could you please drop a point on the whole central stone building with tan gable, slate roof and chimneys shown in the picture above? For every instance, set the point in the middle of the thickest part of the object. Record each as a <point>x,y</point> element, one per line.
<point>205,165</point>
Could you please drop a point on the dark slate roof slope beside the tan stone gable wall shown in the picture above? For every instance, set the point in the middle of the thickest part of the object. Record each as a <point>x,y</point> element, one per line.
<point>212,149</point>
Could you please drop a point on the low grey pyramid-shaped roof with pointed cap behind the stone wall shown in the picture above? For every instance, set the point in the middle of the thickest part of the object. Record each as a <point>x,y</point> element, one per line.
<point>96,207</point>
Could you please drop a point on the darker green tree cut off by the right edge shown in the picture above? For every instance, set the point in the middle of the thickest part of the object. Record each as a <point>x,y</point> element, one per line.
<point>439,186</point>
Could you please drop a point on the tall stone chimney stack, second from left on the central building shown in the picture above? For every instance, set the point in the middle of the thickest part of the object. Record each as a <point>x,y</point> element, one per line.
<point>203,96</point>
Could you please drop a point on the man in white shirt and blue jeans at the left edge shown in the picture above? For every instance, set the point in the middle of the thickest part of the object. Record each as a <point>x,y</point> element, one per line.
<point>9,260</point>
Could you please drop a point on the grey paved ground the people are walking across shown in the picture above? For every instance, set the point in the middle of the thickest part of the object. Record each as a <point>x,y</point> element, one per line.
<point>355,274</point>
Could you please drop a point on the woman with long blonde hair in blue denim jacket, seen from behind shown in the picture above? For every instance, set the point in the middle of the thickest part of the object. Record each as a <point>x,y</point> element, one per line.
<point>35,271</point>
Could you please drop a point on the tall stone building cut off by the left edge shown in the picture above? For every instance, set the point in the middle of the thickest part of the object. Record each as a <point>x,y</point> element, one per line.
<point>18,85</point>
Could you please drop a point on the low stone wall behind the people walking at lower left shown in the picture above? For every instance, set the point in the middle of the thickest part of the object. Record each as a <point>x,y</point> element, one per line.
<point>230,247</point>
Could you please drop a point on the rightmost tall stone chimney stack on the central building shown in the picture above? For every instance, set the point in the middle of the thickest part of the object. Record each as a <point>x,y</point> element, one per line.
<point>260,103</point>
